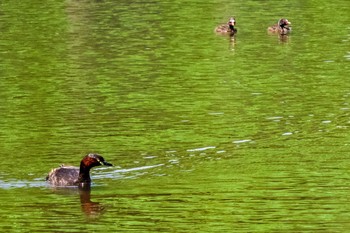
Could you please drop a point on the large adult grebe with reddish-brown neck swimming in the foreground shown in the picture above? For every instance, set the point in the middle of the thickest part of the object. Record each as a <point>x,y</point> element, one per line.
<point>75,176</point>
